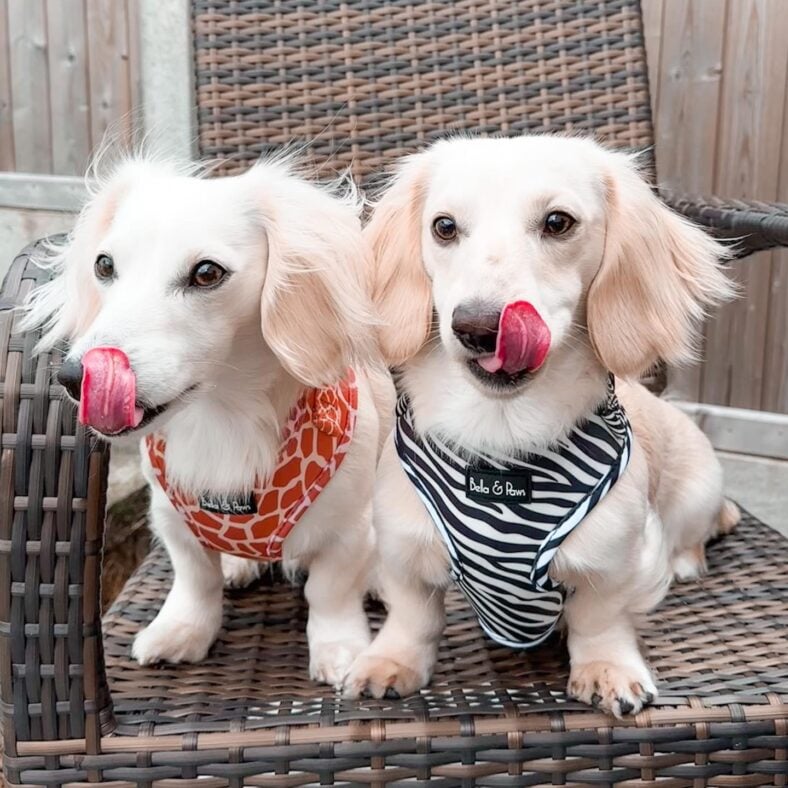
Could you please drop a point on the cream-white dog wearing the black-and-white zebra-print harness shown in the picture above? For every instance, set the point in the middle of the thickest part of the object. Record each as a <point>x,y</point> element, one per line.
<point>513,276</point>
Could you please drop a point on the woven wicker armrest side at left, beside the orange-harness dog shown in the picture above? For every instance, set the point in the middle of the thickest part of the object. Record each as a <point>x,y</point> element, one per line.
<point>53,479</point>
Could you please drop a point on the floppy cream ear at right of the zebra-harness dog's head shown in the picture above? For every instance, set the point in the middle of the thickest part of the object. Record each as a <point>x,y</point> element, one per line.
<point>659,275</point>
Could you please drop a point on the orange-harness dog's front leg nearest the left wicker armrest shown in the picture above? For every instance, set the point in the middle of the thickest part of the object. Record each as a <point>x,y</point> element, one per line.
<point>191,616</point>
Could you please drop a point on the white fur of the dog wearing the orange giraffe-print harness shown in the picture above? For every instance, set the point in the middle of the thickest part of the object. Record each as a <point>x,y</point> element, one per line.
<point>294,313</point>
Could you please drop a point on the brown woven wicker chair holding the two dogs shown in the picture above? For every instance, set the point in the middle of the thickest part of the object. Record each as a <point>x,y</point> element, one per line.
<point>368,80</point>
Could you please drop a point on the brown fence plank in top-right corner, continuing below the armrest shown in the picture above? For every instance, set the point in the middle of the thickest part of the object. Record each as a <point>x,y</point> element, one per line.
<point>753,95</point>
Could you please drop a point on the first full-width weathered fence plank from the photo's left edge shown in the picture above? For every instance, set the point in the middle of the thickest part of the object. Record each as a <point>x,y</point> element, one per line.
<point>29,85</point>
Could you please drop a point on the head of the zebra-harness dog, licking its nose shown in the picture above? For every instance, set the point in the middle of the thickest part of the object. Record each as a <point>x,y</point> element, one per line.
<point>517,249</point>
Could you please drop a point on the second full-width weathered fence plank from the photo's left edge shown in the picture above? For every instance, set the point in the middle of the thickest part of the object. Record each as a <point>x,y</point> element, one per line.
<point>68,86</point>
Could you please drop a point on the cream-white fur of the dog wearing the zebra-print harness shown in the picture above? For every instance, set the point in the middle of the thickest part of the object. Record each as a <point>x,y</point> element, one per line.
<point>625,286</point>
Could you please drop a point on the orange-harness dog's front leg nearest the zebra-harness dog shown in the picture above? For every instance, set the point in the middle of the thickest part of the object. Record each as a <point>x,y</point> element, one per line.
<point>337,628</point>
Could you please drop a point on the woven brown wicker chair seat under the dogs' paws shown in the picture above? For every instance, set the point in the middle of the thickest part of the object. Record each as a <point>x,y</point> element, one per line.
<point>500,716</point>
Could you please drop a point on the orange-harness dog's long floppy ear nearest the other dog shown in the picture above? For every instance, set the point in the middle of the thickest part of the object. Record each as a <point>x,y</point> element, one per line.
<point>314,311</point>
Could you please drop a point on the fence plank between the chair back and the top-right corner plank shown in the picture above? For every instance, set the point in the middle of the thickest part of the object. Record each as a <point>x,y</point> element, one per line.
<point>686,127</point>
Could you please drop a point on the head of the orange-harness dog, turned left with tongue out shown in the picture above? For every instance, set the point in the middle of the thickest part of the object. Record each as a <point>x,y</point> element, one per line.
<point>170,281</point>
